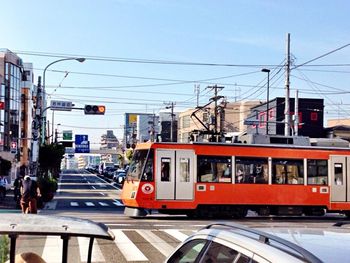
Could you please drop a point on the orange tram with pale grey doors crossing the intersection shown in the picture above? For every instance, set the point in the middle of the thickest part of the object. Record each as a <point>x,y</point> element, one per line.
<point>228,179</point>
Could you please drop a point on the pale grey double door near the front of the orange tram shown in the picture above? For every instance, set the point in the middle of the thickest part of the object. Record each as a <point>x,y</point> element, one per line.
<point>174,174</point>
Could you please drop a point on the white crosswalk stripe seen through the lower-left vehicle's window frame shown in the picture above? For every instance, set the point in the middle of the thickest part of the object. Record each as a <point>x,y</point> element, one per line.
<point>53,249</point>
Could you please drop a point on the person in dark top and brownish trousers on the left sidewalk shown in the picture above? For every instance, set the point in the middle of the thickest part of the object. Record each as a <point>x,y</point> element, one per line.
<point>30,192</point>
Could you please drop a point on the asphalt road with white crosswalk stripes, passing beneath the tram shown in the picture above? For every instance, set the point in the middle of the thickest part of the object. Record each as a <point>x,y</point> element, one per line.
<point>150,239</point>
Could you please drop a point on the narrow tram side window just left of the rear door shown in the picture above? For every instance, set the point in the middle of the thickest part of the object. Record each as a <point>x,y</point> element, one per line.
<point>317,172</point>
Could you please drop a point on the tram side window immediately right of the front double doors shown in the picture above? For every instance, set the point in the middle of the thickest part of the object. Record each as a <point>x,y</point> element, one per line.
<point>214,169</point>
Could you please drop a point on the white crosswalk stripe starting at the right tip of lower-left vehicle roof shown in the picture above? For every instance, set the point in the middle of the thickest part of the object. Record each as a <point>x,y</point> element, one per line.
<point>127,247</point>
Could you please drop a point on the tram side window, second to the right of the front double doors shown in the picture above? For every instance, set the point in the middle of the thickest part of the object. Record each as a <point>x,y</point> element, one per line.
<point>251,170</point>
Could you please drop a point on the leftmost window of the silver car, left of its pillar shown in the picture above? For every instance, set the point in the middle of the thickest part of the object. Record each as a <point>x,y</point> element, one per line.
<point>188,252</point>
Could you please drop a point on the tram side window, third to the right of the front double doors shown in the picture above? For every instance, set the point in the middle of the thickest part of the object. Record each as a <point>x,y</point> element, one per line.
<point>287,171</point>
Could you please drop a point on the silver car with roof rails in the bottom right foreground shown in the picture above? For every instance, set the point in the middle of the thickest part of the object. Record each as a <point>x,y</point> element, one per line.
<point>234,243</point>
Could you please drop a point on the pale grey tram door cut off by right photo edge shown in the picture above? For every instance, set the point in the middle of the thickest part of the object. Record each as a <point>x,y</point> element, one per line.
<point>340,178</point>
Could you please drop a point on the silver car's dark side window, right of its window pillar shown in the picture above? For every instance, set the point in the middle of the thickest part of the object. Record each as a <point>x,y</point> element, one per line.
<point>219,253</point>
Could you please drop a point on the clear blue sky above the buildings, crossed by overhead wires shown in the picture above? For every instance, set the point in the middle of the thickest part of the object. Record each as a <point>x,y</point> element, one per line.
<point>240,32</point>
